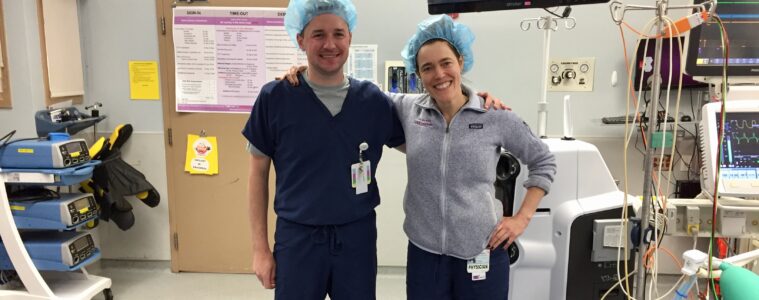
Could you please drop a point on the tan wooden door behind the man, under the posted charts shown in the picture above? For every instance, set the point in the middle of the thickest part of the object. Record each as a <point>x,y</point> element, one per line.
<point>208,214</point>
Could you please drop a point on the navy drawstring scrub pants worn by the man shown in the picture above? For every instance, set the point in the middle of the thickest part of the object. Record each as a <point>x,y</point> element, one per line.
<point>335,260</point>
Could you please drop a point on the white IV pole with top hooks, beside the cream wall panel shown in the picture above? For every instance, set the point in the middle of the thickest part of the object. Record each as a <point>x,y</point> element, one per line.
<point>547,24</point>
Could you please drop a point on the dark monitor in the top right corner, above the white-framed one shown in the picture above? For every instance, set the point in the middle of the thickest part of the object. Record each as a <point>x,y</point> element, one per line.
<point>705,58</point>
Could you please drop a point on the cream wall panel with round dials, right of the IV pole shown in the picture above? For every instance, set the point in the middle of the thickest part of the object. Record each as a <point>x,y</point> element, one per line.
<point>571,74</point>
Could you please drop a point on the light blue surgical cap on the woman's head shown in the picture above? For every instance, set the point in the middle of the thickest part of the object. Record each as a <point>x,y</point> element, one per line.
<point>440,27</point>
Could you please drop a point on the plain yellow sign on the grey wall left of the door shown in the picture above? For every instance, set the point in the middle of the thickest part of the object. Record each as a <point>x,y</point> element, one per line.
<point>143,80</point>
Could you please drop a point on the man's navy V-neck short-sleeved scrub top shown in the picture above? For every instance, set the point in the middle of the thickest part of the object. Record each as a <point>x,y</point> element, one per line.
<point>312,151</point>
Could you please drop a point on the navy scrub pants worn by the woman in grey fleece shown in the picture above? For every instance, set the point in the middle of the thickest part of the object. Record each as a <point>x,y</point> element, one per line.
<point>442,277</point>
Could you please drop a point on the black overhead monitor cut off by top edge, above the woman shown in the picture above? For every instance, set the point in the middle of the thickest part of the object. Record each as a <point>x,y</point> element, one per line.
<point>459,6</point>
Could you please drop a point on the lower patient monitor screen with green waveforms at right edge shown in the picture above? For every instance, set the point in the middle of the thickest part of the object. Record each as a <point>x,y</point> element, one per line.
<point>740,150</point>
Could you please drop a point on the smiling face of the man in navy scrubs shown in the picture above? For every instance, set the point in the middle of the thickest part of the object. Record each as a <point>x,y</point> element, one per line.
<point>326,40</point>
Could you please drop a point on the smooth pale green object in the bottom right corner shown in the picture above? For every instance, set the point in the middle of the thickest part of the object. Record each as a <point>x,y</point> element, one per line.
<point>737,283</point>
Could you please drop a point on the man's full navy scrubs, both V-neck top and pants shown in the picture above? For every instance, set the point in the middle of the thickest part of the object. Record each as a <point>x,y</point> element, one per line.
<point>325,241</point>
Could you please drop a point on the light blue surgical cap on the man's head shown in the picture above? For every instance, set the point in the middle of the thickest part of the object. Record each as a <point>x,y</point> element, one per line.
<point>300,12</point>
